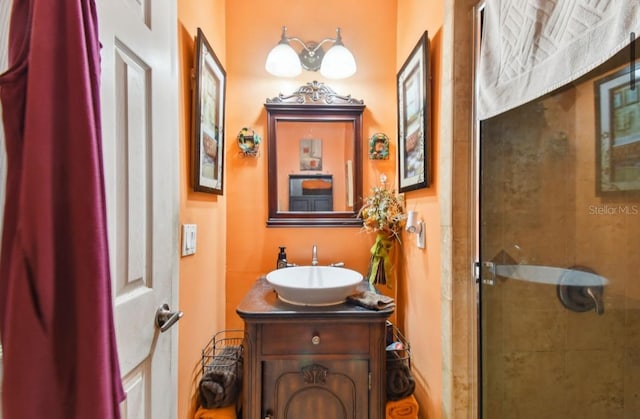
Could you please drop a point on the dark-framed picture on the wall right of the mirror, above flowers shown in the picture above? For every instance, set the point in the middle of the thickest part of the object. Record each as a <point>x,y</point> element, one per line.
<point>414,145</point>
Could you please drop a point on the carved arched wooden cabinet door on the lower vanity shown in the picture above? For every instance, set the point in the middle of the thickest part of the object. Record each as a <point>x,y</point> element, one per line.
<point>316,389</point>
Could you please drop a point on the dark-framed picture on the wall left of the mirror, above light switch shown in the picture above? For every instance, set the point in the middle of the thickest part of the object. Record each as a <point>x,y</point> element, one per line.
<point>208,119</point>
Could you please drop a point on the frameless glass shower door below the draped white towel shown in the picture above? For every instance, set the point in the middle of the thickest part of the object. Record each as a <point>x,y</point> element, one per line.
<point>559,291</point>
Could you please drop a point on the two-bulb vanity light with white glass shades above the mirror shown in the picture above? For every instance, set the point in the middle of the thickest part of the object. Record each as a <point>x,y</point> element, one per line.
<point>336,63</point>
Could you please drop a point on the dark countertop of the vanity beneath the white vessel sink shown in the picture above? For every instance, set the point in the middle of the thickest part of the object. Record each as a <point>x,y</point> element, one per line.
<point>262,302</point>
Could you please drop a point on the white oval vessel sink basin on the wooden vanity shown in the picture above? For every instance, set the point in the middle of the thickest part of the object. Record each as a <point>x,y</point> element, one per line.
<point>314,285</point>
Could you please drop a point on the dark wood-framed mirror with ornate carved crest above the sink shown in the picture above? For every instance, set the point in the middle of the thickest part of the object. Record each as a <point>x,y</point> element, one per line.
<point>314,158</point>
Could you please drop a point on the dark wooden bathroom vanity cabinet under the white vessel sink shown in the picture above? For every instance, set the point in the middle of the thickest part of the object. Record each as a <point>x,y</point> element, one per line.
<point>312,362</point>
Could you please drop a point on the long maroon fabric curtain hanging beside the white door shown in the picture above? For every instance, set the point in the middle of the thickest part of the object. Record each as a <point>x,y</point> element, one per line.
<point>56,316</point>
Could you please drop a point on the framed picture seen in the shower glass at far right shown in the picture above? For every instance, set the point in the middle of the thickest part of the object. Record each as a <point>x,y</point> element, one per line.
<point>618,132</point>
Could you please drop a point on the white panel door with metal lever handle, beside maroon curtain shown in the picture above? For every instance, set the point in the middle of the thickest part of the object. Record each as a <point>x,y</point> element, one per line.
<point>139,111</point>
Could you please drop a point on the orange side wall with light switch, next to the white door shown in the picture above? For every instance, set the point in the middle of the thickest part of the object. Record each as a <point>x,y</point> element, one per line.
<point>201,284</point>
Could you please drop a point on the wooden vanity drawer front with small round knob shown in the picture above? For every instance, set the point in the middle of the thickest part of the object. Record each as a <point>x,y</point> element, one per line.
<point>310,338</point>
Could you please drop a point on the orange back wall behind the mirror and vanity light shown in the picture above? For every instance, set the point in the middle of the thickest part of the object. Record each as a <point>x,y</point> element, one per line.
<point>253,28</point>
